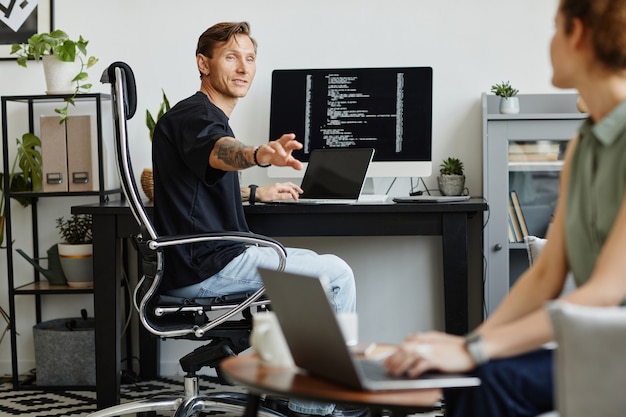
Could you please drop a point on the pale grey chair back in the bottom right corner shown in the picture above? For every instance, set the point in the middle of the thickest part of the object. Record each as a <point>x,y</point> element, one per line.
<point>590,359</point>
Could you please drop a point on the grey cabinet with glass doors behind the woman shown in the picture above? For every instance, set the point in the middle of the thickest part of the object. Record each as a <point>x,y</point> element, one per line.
<point>522,154</point>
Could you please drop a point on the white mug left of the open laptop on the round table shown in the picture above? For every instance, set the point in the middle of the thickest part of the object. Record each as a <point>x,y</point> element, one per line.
<point>268,340</point>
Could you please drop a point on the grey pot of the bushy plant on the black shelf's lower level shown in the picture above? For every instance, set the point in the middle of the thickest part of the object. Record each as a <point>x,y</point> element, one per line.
<point>77,264</point>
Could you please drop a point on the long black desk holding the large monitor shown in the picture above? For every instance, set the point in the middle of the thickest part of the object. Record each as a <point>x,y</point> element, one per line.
<point>113,221</point>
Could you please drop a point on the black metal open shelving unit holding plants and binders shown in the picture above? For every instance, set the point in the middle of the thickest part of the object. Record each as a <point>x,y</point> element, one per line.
<point>21,114</point>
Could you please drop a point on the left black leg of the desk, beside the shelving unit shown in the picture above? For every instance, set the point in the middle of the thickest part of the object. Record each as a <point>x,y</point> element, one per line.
<point>107,310</point>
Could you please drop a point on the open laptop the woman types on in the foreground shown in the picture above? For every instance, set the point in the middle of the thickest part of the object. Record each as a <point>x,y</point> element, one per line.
<point>318,346</point>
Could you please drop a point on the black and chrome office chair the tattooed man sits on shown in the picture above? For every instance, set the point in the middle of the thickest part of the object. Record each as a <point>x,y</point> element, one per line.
<point>173,317</point>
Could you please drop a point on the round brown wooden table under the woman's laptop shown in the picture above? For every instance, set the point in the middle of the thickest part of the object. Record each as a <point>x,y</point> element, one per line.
<point>246,370</point>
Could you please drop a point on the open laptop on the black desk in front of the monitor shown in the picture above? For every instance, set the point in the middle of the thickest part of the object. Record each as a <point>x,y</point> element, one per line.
<point>334,176</point>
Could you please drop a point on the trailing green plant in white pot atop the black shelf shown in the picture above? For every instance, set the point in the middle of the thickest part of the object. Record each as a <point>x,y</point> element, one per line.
<point>65,61</point>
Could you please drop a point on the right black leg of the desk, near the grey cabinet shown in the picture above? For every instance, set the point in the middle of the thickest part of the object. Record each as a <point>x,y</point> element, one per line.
<point>455,272</point>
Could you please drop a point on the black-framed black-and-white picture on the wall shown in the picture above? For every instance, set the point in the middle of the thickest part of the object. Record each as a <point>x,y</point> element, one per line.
<point>21,19</point>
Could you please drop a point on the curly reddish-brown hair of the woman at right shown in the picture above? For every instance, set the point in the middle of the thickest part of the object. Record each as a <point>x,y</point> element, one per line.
<point>606,19</point>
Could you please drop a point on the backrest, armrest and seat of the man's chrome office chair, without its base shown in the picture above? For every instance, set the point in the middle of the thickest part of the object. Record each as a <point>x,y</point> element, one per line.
<point>157,318</point>
